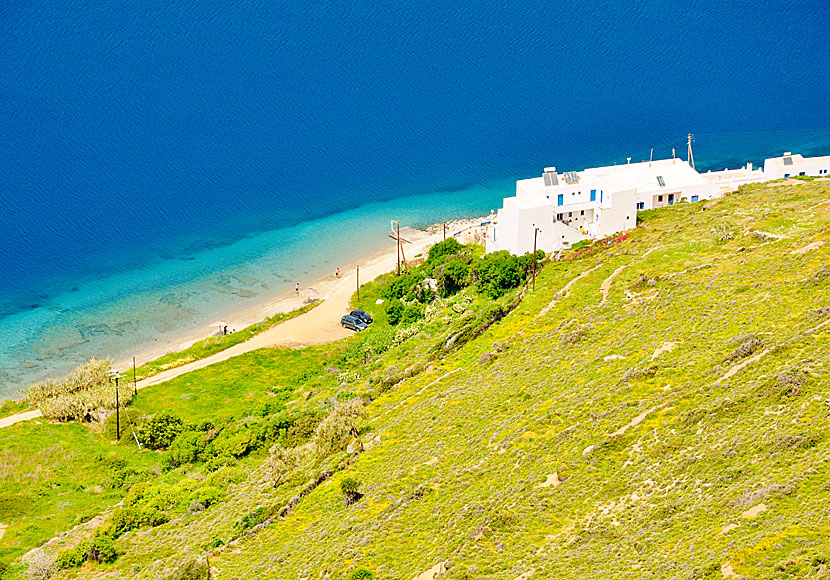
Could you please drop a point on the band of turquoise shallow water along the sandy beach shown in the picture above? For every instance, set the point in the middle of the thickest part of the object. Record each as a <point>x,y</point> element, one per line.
<point>120,314</point>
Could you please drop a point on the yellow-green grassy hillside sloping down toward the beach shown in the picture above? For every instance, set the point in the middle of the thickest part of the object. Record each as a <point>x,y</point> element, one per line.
<point>659,407</point>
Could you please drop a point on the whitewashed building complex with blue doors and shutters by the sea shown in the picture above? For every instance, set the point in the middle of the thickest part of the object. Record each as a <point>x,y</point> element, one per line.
<point>600,201</point>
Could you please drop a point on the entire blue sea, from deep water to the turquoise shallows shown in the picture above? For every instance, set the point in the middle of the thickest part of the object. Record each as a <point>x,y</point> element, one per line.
<point>165,163</point>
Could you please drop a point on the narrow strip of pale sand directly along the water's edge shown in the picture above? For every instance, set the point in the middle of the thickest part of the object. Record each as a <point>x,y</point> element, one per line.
<point>320,288</point>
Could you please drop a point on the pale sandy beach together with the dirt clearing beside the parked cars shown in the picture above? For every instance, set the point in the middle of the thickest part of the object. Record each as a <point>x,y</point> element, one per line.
<point>322,324</point>
